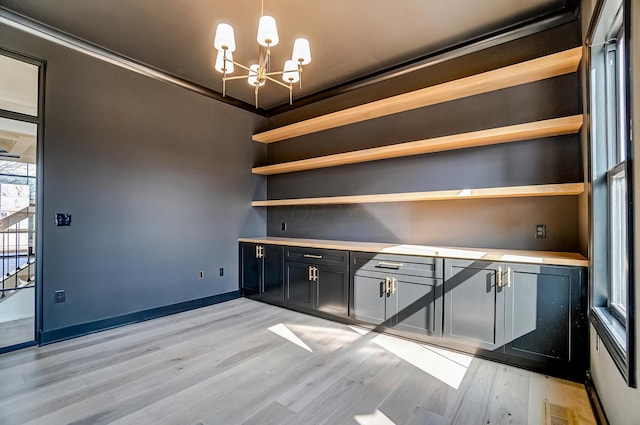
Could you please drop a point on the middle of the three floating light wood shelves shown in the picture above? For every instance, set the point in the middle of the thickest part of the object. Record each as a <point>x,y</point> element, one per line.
<point>513,133</point>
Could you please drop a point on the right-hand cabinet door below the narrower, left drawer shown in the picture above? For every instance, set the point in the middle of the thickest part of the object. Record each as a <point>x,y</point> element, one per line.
<point>332,294</point>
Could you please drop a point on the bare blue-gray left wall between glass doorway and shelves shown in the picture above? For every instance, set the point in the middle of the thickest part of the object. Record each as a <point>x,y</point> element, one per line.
<point>157,180</point>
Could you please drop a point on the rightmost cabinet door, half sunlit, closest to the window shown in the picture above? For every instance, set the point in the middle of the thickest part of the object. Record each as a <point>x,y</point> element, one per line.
<point>540,303</point>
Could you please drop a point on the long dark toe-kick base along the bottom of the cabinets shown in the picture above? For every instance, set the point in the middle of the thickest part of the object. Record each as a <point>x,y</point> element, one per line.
<point>574,371</point>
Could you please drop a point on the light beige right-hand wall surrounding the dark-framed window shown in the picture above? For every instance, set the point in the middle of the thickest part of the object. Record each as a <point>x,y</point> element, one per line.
<point>621,403</point>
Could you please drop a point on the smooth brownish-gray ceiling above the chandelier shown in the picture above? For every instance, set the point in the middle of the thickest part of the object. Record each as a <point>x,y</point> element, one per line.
<point>348,39</point>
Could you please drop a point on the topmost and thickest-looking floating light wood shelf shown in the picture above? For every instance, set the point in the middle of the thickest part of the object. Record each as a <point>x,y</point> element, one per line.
<point>525,72</point>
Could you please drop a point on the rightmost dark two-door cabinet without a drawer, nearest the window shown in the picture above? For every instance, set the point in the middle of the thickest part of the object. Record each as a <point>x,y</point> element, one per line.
<point>532,314</point>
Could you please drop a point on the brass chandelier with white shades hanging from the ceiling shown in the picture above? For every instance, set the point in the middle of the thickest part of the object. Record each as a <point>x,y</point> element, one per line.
<point>259,73</point>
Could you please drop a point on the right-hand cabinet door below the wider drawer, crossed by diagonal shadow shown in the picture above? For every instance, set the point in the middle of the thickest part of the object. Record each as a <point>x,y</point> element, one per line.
<point>416,305</point>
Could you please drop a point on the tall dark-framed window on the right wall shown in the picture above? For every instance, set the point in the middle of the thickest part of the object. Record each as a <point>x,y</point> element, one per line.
<point>611,198</point>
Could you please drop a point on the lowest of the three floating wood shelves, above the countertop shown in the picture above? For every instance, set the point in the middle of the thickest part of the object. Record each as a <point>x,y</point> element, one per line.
<point>441,195</point>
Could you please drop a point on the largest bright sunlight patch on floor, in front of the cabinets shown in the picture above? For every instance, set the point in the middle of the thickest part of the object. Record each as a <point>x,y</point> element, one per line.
<point>448,367</point>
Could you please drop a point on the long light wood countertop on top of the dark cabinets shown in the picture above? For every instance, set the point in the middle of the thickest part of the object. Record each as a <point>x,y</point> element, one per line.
<point>506,255</point>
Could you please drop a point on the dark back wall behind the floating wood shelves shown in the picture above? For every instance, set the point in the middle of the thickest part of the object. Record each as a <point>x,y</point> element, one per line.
<point>495,223</point>
